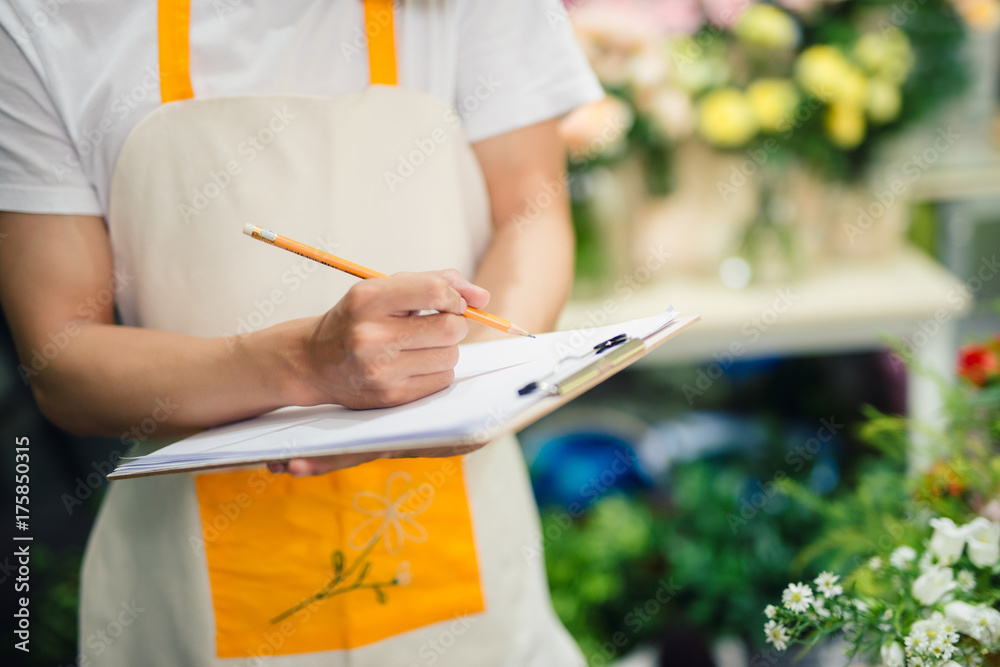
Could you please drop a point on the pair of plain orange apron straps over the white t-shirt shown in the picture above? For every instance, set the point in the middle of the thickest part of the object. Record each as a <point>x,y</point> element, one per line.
<point>174,21</point>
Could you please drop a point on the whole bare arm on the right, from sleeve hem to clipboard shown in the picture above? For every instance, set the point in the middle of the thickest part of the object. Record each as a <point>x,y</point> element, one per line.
<point>528,268</point>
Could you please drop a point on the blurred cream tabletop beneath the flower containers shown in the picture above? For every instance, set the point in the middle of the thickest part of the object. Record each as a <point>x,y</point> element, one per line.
<point>845,307</point>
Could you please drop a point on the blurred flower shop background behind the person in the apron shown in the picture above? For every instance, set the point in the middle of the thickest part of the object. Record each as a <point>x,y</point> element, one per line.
<point>820,181</point>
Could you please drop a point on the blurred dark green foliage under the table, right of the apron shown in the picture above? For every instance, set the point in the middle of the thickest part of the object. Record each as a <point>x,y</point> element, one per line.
<point>712,551</point>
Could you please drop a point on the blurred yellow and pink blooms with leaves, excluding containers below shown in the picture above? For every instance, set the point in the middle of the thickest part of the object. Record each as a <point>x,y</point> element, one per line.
<point>827,81</point>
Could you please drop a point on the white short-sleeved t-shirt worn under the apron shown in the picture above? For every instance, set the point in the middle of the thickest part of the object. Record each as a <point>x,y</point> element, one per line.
<point>78,75</point>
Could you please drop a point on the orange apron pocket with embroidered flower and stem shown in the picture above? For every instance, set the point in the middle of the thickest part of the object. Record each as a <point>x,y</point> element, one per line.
<point>336,561</point>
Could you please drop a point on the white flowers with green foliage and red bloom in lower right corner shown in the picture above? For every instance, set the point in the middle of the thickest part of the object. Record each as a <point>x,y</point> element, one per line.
<point>924,585</point>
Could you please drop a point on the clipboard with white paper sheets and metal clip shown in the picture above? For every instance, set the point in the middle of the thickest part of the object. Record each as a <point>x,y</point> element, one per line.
<point>564,379</point>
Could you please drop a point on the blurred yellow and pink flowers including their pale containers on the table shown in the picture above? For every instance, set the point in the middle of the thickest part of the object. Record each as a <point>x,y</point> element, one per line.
<point>797,99</point>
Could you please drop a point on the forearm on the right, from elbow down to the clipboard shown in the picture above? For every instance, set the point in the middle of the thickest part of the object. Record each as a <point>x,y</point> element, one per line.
<point>528,270</point>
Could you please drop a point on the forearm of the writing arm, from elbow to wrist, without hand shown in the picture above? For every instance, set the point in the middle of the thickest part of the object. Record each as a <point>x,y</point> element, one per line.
<point>110,380</point>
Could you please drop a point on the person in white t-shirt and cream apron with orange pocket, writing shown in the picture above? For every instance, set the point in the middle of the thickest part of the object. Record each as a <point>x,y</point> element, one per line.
<point>136,140</point>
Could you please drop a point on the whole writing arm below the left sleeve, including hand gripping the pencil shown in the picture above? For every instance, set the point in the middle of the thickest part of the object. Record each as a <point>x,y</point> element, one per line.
<point>104,379</point>
